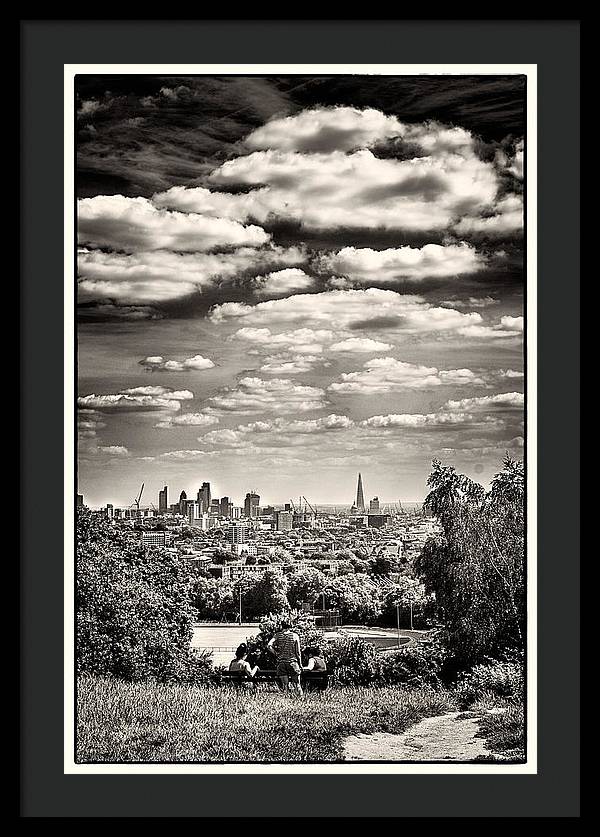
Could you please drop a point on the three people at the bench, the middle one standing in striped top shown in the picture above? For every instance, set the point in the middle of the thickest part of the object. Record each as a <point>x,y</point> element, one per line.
<point>285,648</point>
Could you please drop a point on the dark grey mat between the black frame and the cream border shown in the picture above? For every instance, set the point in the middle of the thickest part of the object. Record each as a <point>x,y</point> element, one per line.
<point>47,45</point>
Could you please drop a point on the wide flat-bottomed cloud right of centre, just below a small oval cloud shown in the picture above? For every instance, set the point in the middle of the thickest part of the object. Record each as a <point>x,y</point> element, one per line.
<point>382,375</point>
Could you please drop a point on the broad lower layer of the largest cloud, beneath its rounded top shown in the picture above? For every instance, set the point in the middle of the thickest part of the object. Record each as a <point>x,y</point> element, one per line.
<point>358,190</point>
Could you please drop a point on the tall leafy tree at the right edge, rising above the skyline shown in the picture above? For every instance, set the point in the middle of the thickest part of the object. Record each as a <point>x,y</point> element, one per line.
<point>476,568</point>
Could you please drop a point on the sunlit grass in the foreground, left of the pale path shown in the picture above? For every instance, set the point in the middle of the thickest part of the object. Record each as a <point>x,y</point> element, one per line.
<point>146,722</point>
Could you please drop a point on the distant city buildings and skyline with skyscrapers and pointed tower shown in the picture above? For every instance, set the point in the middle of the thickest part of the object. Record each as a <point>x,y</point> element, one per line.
<point>229,541</point>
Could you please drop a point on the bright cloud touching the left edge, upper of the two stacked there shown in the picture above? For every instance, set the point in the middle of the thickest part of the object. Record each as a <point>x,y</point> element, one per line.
<point>136,224</point>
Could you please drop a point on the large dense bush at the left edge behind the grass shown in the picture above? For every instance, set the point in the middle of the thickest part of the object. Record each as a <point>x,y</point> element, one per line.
<point>134,609</point>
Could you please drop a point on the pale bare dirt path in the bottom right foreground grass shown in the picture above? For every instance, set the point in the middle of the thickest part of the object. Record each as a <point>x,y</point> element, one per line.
<point>439,738</point>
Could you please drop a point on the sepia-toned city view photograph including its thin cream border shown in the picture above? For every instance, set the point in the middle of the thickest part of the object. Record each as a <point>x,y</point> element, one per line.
<point>303,350</point>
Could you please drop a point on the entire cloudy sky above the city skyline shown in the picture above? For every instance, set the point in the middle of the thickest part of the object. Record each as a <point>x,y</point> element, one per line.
<point>284,280</point>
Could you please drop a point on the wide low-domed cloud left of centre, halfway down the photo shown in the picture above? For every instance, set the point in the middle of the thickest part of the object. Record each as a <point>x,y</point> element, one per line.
<point>255,395</point>
